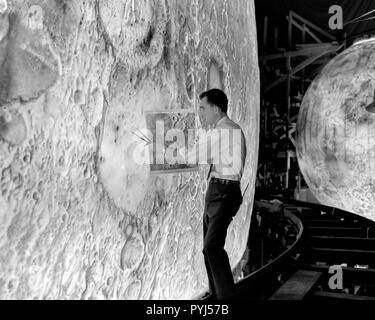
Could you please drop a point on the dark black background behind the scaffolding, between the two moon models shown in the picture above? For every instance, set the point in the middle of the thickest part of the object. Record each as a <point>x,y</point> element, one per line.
<point>282,102</point>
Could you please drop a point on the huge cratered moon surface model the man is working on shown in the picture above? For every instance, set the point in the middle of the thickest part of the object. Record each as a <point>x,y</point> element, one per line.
<point>78,219</point>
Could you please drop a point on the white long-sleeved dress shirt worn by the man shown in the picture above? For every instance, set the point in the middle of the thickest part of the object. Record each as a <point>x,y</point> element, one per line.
<point>224,147</point>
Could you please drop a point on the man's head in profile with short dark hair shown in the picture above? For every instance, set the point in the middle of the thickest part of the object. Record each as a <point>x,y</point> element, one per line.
<point>213,106</point>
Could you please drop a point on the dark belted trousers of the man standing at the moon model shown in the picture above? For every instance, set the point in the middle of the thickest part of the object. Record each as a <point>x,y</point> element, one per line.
<point>221,205</point>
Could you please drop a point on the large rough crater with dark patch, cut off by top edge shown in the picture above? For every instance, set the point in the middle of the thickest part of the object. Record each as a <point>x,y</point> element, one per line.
<point>135,30</point>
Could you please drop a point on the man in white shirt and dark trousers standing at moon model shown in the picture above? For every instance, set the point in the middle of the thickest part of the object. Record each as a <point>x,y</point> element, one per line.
<point>223,197</point>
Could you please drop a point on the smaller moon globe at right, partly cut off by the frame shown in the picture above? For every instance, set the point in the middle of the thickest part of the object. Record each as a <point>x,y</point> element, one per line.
<point>336,134</point>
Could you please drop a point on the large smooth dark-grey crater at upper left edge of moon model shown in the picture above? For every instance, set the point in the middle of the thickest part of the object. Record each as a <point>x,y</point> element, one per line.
<point>28,66</point>
